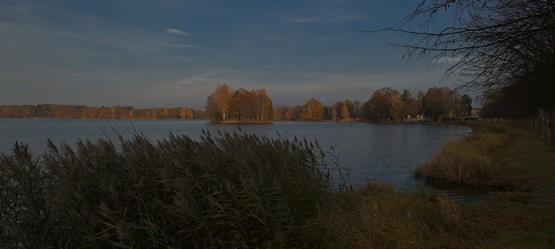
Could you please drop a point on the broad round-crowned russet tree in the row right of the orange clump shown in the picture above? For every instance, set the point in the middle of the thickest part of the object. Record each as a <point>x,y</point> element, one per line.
<point>385,104</point>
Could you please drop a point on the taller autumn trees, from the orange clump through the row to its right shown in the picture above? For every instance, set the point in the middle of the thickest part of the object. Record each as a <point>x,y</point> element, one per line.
<point>385,104</point>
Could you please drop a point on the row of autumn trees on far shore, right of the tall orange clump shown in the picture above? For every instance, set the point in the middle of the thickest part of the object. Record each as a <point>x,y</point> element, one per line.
<point>385,104</point>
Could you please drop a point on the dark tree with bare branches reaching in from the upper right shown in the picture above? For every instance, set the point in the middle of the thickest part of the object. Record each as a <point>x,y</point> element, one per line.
<point>498,43</point>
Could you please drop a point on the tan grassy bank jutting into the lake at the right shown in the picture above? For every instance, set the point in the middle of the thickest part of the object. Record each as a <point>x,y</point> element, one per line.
<point>494,157</point>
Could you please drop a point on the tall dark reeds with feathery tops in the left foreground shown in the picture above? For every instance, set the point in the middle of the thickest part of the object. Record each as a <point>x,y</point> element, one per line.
<point>221,191</point>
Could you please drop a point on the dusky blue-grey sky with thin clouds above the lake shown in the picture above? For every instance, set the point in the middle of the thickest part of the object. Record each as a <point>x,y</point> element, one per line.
<point>149,53</point>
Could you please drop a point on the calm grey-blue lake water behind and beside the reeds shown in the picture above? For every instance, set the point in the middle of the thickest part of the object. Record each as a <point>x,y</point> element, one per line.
<point>383,153</point>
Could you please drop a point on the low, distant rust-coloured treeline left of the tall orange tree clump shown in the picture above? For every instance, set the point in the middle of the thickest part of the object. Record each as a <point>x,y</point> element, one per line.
<point>87,112</point>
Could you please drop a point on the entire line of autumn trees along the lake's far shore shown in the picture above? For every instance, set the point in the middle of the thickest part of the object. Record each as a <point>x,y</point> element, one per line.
<point>230,106</point>
